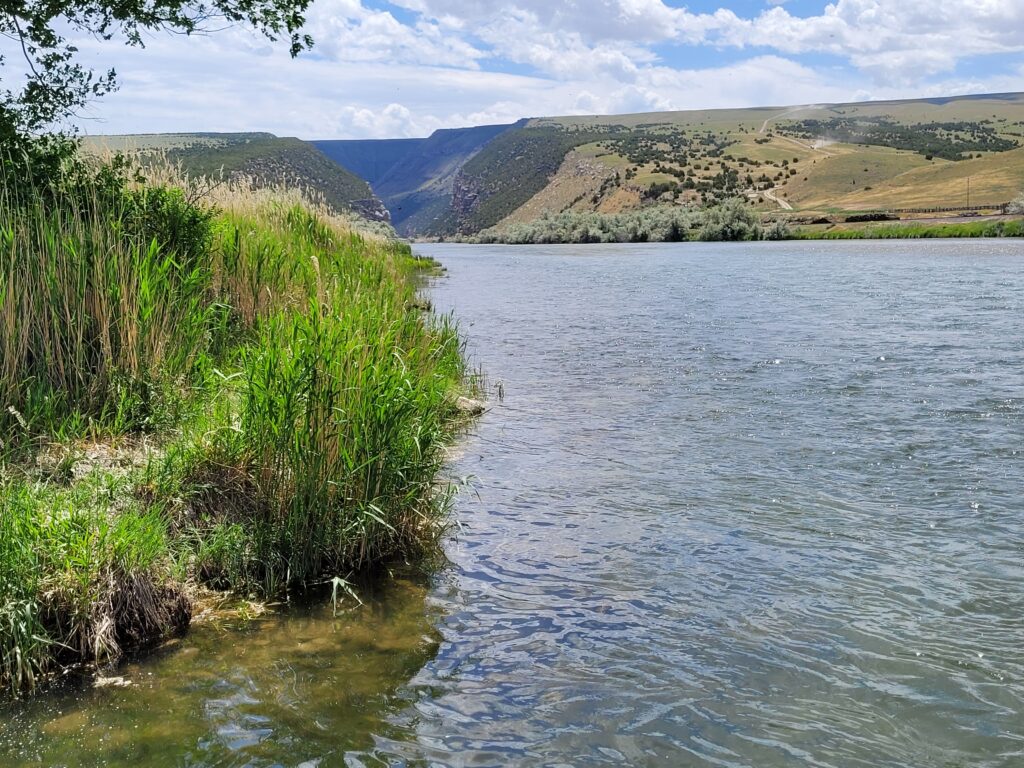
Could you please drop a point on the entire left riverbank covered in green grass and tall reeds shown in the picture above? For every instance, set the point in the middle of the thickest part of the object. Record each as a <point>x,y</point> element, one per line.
<point>242,394</point>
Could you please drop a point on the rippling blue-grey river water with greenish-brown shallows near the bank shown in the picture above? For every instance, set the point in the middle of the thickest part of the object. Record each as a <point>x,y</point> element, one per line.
<point>733,505</point>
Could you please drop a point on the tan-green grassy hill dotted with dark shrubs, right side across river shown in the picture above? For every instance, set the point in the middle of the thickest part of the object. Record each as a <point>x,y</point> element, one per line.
<point>883,155</point>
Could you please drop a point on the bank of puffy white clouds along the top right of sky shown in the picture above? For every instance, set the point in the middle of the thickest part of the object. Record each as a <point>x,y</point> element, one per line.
<point>884,38</point>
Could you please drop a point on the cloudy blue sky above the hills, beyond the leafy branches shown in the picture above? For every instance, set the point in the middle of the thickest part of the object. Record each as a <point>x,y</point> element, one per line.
<point>403,69</point>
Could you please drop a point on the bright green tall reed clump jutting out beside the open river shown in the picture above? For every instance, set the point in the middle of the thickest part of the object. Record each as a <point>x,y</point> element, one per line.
<point>328,462</point>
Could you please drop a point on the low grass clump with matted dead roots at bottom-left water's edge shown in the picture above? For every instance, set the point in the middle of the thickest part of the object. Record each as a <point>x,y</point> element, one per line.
<point>81,580</point>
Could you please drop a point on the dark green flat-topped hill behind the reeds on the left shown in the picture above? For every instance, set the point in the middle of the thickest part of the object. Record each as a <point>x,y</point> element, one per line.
<point>263,157</point>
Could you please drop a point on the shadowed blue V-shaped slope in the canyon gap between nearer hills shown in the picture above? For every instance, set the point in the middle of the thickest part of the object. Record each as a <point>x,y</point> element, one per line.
<point>414,178</point>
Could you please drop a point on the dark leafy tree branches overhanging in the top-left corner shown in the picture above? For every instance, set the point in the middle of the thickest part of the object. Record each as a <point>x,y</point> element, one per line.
<point>57,84</point>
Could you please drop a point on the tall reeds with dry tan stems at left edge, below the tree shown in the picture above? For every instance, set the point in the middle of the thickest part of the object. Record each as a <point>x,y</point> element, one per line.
<point>102,307</point>
